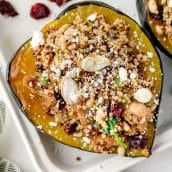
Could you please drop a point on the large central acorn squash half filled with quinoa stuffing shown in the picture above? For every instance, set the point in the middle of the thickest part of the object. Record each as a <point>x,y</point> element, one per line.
<point>90,79</point>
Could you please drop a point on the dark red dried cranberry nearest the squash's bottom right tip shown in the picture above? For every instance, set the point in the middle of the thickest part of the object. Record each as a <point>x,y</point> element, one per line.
<point>137,141</point>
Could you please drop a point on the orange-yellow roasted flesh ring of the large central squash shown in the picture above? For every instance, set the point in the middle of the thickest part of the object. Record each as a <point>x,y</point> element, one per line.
<point>24,64</point>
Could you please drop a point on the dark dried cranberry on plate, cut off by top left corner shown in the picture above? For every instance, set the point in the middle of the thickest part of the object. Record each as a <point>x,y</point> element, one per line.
<point>7,8</point>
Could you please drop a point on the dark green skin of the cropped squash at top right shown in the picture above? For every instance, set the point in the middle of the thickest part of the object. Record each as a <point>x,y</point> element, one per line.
<point>148,29</point>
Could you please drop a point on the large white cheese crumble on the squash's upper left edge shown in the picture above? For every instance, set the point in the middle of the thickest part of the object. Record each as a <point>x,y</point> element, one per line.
<point>37,39</point>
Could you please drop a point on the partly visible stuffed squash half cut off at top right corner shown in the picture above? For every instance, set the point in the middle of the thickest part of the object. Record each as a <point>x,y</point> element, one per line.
<point>156,18</point>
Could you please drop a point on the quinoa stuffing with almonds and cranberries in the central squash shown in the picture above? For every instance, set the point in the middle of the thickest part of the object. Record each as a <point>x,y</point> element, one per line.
<point>92,77</point>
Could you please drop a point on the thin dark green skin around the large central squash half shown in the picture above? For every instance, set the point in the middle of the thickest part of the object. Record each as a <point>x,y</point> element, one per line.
<point>136,152</point>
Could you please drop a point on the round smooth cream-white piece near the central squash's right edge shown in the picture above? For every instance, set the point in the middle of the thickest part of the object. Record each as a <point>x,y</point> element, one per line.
<point>143,95</point>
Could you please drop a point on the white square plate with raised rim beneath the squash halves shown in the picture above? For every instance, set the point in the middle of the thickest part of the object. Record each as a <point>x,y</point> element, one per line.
<point>46,154</point>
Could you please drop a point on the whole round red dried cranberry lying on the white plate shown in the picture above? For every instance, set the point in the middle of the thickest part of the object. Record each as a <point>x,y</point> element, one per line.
<point>39,11</point>
